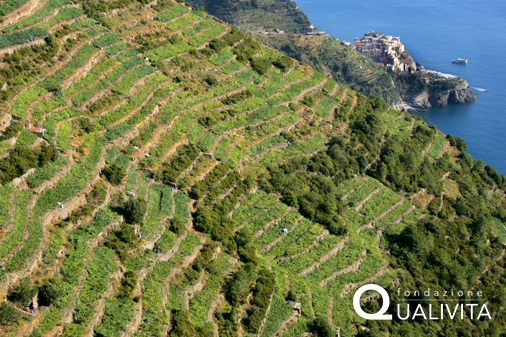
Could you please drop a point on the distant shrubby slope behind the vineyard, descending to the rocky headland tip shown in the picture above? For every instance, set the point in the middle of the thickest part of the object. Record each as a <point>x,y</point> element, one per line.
<point>281,24</point>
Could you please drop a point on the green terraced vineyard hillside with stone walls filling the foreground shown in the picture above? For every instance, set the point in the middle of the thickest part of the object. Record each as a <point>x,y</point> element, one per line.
<point>164,174</point>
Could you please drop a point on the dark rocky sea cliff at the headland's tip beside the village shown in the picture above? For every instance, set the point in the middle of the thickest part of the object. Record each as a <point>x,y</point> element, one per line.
<point>461,94</point>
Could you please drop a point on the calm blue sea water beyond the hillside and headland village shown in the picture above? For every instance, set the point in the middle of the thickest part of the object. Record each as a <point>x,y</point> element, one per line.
<point>434,33</point>
